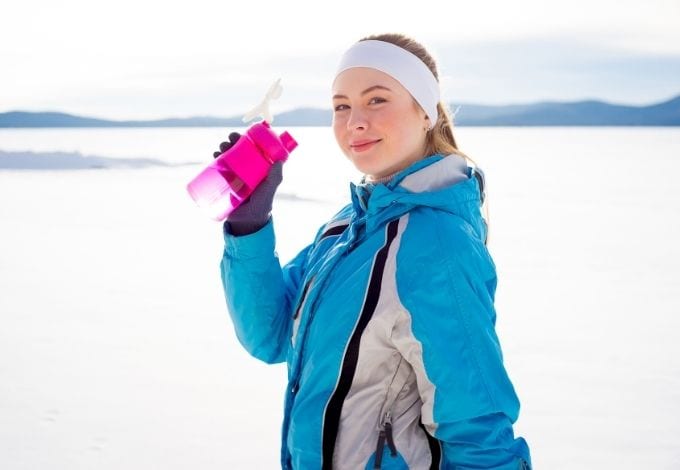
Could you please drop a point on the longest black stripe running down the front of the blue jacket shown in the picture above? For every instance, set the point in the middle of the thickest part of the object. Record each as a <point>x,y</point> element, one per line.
<point>331,420</point>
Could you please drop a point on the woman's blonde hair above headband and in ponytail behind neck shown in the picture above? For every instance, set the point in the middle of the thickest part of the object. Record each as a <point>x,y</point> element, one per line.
<point>439,139</point>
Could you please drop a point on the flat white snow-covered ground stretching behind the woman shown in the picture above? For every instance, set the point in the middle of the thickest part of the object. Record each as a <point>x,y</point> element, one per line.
<point>116,351</point>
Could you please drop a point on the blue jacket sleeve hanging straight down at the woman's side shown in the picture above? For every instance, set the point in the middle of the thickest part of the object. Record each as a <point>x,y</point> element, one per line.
<point>446,283</point>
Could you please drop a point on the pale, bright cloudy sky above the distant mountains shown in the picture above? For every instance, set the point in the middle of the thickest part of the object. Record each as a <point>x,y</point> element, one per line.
<point>134,59</point>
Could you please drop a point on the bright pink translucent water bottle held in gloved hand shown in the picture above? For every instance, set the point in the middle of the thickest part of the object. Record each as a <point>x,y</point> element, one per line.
<point>228,181</point>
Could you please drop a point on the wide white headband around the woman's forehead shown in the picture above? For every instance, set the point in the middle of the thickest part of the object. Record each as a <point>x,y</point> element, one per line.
<point>401,65</point>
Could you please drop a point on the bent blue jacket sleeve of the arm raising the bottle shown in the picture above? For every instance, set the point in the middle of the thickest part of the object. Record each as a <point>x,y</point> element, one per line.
<point>259,292</point>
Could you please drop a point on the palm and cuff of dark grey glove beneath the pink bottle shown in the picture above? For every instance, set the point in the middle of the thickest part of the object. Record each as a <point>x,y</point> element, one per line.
<point>254,212</point>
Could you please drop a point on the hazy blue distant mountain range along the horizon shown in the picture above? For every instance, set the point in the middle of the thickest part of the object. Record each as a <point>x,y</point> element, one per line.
<point>580,113</point>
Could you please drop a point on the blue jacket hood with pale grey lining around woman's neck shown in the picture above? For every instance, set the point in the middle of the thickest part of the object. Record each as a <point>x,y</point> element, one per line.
<point>437,182</point>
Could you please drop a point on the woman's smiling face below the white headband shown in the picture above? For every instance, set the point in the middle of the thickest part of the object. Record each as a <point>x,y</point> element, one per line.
<point>376,121</point>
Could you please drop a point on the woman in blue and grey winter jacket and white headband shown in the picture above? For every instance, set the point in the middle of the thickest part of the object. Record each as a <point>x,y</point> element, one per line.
<point>386,319</point>
